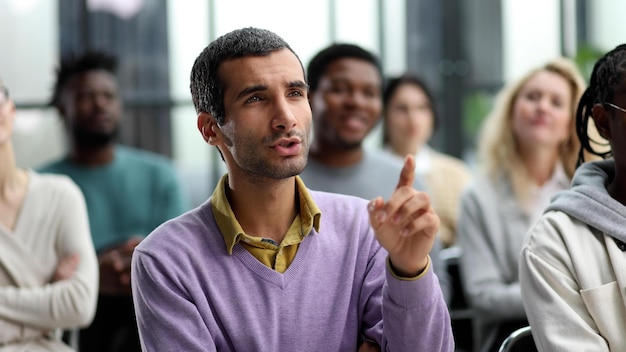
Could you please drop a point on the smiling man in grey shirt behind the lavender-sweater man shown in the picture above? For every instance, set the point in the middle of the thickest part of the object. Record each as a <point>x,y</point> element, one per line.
<point>345,89</point>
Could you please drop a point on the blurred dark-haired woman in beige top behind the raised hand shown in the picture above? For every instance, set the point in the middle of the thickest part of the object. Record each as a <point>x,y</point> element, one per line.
<point>409,123</point>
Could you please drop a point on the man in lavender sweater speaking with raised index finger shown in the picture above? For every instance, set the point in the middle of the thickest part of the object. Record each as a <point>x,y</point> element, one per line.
<point>268,265</point>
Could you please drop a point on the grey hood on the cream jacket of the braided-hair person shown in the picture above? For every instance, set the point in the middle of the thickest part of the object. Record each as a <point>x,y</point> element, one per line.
<point>588,200</point>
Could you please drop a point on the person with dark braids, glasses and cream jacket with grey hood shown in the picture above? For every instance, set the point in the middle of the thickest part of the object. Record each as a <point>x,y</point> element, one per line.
<point>573,265</point>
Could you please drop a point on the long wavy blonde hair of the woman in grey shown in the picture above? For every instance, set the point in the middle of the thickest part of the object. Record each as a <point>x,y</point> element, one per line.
<point>497,146</point>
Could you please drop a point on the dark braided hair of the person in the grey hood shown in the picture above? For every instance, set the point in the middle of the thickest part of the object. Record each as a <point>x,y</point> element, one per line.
<point>607,73</point>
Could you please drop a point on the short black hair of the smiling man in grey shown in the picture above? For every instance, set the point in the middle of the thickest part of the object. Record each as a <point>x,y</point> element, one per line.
<point>319,63</point>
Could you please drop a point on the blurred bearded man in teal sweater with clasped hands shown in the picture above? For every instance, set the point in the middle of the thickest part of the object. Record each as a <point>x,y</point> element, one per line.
<point>129,192</point>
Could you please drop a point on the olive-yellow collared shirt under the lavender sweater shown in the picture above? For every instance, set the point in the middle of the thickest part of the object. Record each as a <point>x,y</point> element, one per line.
<point>277,256</point>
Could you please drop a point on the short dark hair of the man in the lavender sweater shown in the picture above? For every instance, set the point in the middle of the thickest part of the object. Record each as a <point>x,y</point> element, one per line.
<point>207,89</point>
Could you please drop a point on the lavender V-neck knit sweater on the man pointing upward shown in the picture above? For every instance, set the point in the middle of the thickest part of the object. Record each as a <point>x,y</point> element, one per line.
<point>190,295</point>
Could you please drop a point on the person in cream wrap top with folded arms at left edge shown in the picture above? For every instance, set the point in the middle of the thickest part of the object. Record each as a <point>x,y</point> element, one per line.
<point>48,265</point>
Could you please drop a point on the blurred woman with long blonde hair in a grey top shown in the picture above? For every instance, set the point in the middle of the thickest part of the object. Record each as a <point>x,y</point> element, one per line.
<point>527,152</point>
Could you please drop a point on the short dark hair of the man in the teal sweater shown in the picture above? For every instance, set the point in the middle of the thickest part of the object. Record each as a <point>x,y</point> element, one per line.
<point>72,65</point>
